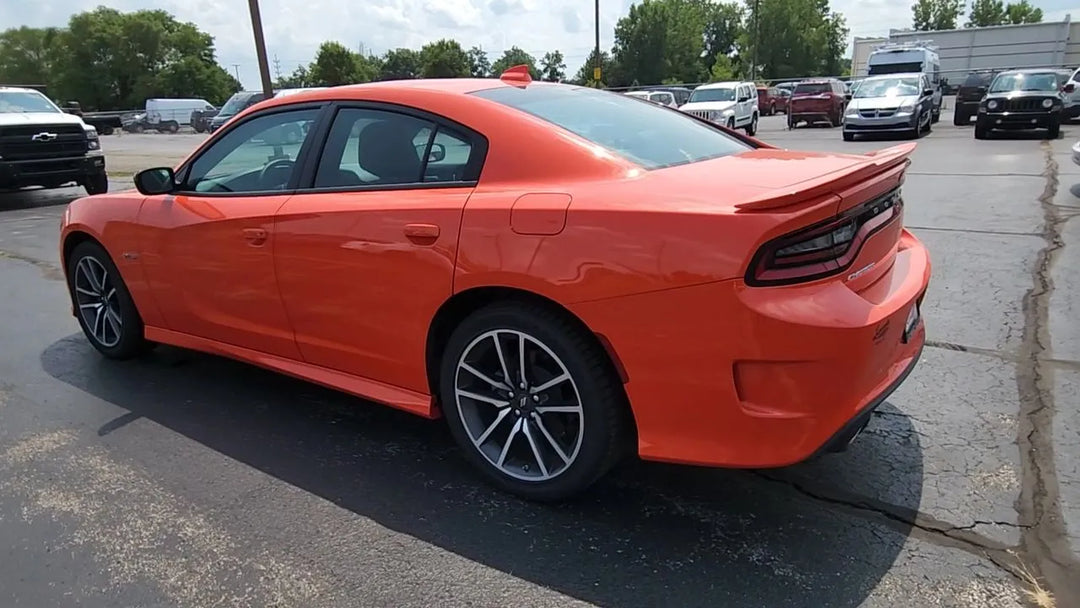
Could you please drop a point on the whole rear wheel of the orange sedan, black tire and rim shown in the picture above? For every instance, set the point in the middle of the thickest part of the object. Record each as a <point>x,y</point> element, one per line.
<point>533,401</point>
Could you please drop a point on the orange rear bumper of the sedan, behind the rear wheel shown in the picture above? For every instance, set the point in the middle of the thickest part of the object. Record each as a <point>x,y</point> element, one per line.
<point>727,375</point>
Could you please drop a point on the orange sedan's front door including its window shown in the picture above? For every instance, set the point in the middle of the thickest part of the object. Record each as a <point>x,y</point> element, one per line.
<point>208,250</point>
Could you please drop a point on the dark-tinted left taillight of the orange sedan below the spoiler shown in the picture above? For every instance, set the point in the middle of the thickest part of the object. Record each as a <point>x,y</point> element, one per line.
<point>825,249</point>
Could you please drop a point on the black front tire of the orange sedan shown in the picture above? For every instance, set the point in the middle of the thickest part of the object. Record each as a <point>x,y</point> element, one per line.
<point>131,341</point>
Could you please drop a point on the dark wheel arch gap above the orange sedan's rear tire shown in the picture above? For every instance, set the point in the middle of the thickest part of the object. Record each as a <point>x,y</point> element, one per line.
<point>462,305</point>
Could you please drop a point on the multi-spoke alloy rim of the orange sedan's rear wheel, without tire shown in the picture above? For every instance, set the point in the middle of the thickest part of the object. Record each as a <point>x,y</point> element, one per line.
<point>520,406</point>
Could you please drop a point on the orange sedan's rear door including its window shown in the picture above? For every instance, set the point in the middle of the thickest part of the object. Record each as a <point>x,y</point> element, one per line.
<point>366,256</point>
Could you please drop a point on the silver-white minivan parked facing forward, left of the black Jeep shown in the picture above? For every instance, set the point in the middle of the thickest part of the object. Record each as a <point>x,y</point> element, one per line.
<point>896,103</point>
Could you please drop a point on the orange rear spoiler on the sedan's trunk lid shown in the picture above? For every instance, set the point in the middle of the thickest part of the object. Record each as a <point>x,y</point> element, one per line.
<point>876,163</point>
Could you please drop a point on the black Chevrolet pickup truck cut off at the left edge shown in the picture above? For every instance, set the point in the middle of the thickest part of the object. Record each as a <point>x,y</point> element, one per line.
<point>40,145</point>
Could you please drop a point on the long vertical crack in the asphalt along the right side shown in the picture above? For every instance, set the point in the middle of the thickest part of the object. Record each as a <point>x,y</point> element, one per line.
<point>1044,543</point>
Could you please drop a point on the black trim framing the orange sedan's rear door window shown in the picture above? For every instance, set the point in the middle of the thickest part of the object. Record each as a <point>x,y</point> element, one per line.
<point>478,154</point>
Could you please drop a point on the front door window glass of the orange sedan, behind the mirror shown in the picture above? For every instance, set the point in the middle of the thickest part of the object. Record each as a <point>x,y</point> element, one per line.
<point>258,156</point>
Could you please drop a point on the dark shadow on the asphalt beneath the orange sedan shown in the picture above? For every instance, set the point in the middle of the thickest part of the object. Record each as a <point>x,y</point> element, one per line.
<point>649,535</point>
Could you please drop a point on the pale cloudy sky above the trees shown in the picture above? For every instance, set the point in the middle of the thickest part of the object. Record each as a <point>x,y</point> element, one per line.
<point>295,29</point>
